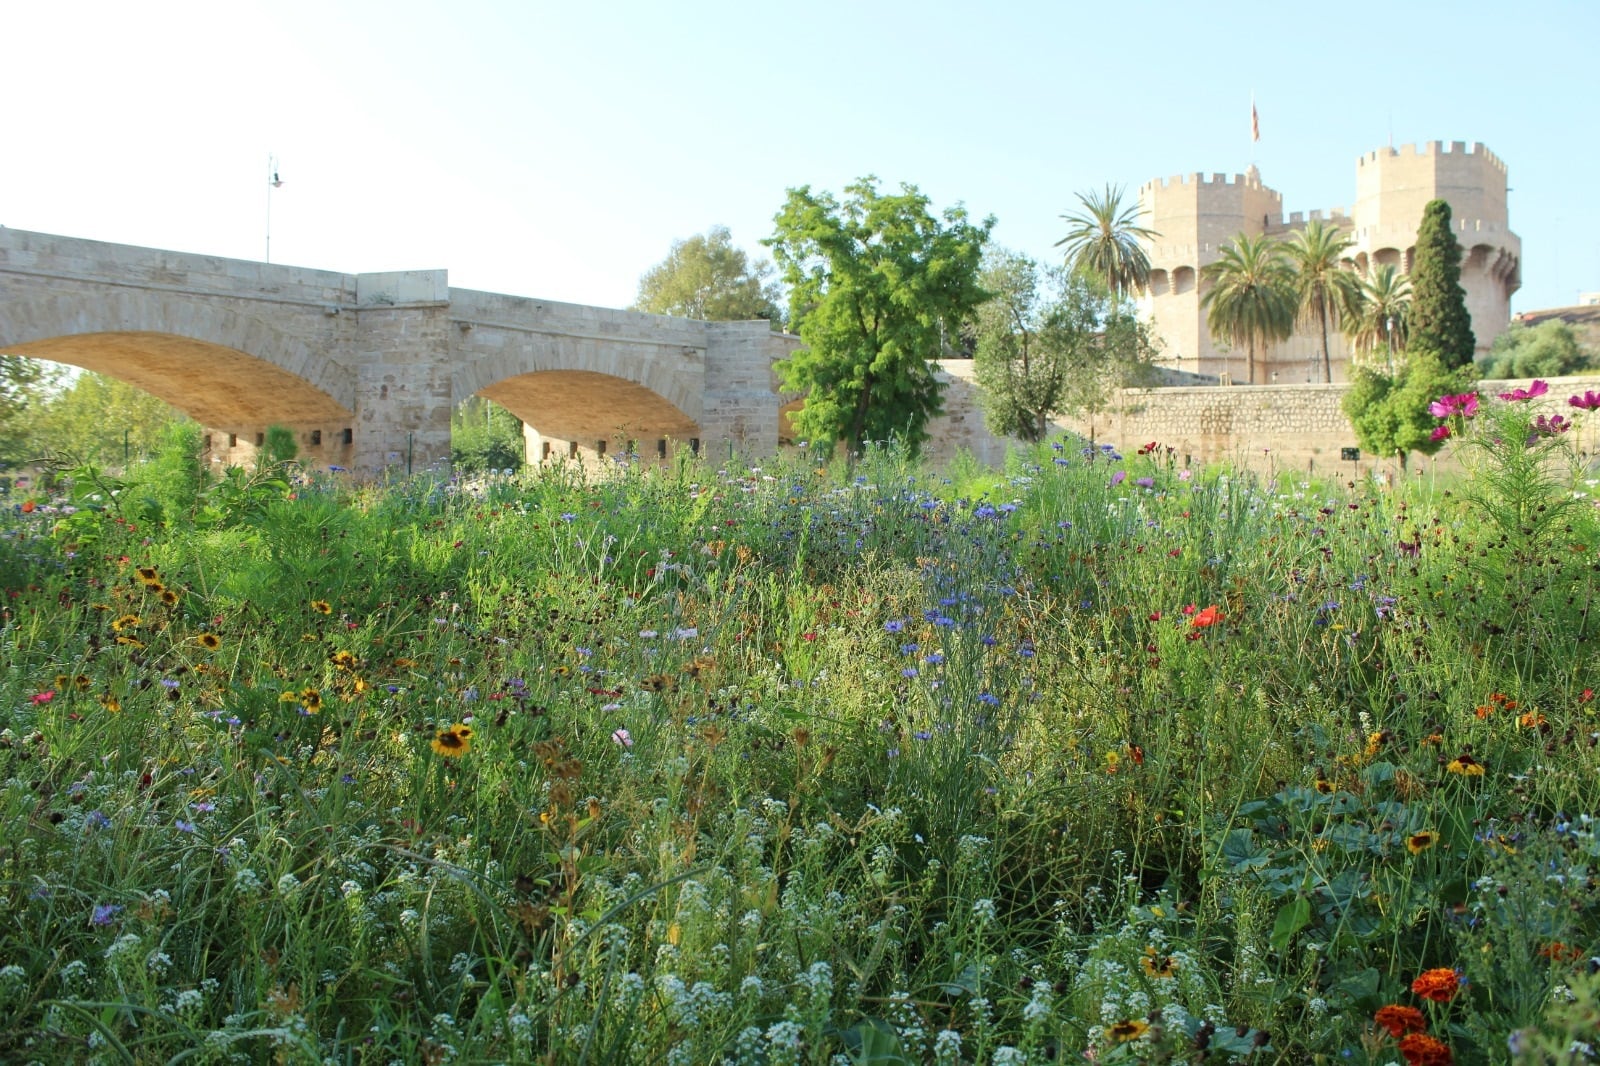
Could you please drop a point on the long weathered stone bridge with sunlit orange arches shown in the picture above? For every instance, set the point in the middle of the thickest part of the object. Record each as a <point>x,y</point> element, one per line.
<point>366,369</point>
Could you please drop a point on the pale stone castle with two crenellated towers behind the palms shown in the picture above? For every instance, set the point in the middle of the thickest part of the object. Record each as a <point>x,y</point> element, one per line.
<point>1196,217</point>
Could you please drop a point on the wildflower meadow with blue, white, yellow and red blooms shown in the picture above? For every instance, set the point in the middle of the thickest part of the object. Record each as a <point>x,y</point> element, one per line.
<point>1097,758</point>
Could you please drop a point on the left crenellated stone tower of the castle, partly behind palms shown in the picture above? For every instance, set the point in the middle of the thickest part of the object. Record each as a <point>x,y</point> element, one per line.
<point>1196,217</point>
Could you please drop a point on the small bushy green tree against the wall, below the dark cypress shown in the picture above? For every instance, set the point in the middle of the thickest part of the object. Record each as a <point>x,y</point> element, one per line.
<point>1390,412</point>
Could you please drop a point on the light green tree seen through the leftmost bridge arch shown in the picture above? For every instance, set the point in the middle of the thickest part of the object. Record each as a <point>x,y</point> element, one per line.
<point>100,420</point>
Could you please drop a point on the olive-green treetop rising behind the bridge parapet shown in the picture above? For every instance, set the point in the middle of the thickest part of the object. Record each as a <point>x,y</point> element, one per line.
<point>706,278</point>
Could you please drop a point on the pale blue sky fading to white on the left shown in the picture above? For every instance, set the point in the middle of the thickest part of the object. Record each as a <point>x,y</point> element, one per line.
<point>559,150</point>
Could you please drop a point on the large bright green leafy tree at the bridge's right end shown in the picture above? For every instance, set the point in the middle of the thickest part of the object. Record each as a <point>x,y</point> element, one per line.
<point>876,284</point>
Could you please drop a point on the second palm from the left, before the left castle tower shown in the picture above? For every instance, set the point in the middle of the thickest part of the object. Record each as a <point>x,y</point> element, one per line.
<point>1252,300</point>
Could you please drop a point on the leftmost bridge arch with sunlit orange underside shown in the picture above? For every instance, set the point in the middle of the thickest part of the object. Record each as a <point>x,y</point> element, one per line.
<point>218,366</point>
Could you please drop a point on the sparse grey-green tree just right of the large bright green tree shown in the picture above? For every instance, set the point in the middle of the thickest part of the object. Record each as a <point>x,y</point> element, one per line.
<point>1026,342</point>
